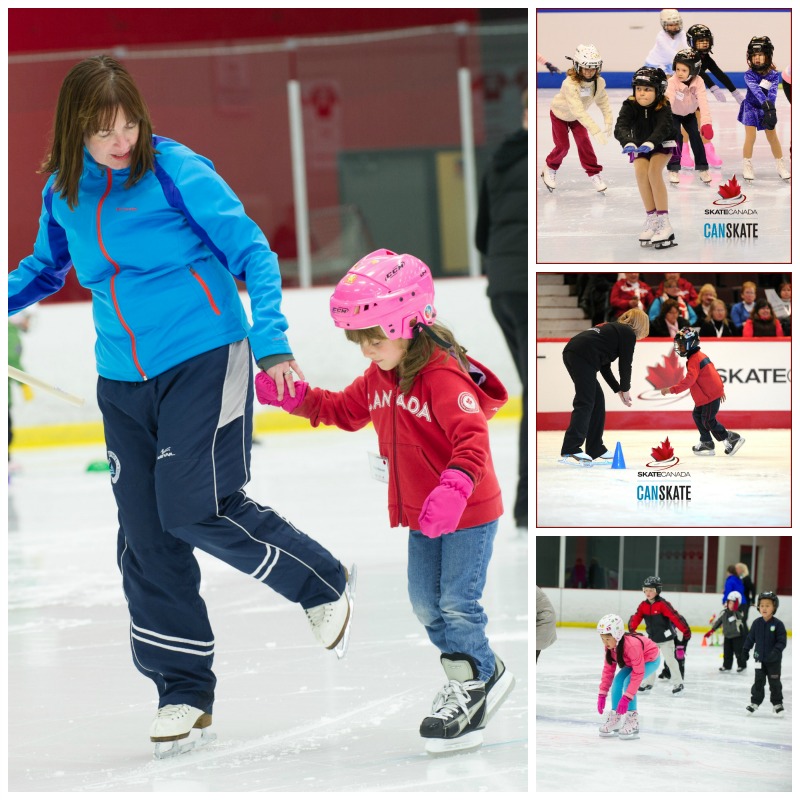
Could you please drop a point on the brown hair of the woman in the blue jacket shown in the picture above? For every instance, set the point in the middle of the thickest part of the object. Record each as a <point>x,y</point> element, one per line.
<point>92,92</point>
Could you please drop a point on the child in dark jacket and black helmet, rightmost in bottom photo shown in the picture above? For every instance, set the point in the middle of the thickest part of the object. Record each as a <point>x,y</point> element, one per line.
<point>768,636</point>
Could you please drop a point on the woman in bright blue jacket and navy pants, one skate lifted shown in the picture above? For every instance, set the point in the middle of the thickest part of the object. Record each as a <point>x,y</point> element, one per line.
<point>158,237</point>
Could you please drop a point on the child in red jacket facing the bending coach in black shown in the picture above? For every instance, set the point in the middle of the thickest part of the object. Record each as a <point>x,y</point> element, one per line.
<point>705,384</point>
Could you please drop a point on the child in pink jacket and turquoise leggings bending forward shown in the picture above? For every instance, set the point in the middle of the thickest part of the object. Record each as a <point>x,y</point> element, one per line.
<point>638,657</point>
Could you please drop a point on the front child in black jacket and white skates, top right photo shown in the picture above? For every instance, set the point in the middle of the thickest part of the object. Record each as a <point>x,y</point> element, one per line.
<point>647,133</point>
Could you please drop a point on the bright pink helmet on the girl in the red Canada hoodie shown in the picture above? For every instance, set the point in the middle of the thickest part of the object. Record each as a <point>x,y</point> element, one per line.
<point>394,292</point>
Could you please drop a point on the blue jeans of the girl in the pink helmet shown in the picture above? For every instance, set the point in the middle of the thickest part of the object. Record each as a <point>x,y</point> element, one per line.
<point>446,577</point>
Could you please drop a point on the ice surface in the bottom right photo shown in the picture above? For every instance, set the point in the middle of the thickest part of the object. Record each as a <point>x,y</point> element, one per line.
<point>702,740</point>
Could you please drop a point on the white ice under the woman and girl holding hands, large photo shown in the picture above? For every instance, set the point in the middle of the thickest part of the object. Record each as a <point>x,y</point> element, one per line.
<point>289,716</point>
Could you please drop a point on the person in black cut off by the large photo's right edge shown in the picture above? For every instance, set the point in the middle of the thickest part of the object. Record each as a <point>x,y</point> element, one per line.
<point>501,235</point>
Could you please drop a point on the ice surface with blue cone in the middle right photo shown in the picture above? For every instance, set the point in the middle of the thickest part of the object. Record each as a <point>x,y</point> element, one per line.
<point>750,488</point>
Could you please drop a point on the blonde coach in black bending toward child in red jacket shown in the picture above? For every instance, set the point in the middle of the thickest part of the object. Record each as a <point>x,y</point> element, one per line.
<point>589,352</point>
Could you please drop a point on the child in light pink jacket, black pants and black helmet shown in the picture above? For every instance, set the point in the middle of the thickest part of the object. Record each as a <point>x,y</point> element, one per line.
<point>686,93</point>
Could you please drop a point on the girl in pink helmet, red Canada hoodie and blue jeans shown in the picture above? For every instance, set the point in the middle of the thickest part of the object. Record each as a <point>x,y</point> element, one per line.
<point>429,403</point>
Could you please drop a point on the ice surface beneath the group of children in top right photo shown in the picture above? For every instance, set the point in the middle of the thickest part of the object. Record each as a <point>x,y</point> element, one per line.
<point>577,224</point>
